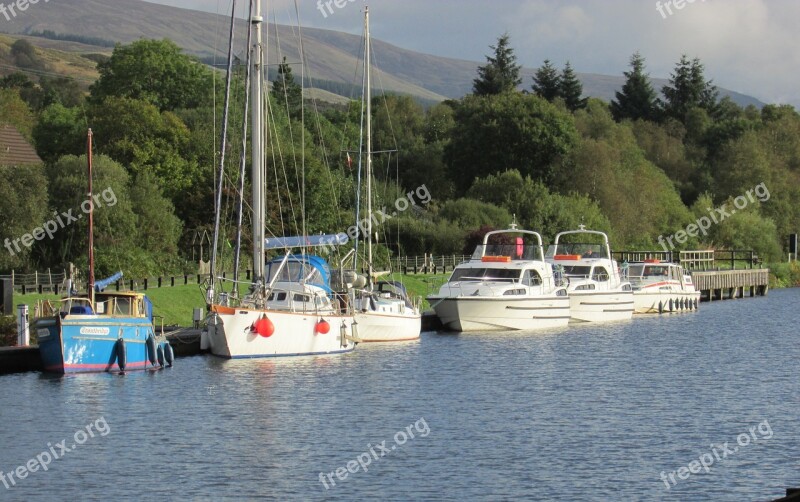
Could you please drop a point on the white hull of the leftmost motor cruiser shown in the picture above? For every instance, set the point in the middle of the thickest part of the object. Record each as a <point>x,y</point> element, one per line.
<point>502,313</point>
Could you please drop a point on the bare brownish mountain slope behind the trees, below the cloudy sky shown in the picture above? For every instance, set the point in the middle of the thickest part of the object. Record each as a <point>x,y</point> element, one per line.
<point>333,56</point>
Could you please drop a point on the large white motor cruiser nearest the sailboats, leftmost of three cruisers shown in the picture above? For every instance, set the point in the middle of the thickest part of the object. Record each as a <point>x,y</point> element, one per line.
<point>506,285</point>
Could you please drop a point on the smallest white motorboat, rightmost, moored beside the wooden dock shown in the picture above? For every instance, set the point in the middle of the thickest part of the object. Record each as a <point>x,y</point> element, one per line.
<point>660,286</point>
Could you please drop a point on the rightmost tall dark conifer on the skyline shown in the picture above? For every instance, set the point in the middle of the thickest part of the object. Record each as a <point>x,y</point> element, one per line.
<point>688,89</point>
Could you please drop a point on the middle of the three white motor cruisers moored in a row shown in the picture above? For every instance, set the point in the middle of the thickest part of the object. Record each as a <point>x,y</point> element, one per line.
<point>597,291</point>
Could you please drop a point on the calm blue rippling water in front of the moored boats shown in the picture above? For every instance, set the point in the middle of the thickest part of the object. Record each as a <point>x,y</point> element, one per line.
<point>587,412</point>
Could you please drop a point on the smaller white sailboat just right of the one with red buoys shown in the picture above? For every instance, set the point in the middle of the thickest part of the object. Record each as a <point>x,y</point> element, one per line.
<point>384,312</point>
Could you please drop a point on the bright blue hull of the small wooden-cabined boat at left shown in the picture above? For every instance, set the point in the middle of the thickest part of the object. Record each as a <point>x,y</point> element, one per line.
<point>85,344</point>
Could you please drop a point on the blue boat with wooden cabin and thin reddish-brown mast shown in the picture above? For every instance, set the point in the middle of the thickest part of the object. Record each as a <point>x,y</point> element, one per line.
<point>97,331</point>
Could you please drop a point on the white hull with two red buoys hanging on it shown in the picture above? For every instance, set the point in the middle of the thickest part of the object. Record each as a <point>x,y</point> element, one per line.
<point>231,334</point>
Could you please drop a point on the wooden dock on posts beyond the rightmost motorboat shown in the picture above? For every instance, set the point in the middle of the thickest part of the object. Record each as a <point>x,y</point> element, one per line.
<point>730,284</point>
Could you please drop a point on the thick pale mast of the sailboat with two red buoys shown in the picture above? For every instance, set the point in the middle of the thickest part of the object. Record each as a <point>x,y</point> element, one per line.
<point>257,132</point>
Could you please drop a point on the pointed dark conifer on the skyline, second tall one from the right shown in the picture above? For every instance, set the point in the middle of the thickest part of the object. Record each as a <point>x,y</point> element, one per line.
<point>637,99</point>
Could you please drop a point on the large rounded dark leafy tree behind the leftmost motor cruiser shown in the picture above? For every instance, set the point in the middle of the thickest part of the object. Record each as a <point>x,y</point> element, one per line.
<point>509,131</point>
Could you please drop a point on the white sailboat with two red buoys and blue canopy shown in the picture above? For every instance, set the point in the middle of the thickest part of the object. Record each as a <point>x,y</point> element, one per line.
<point>292,308</point>
